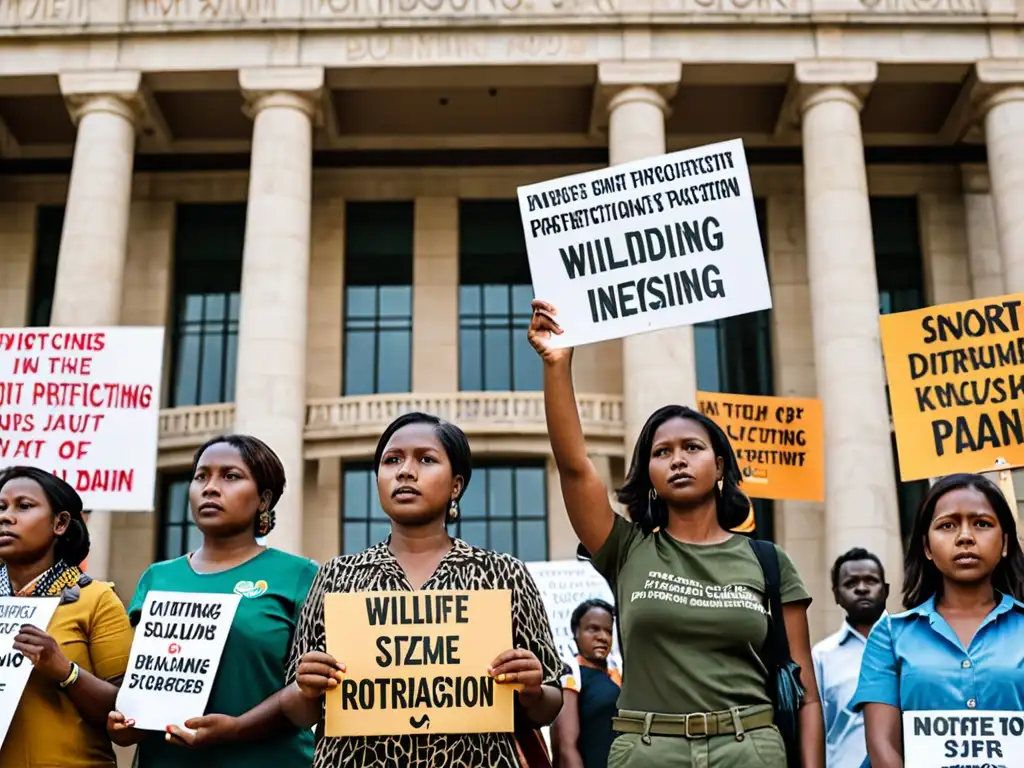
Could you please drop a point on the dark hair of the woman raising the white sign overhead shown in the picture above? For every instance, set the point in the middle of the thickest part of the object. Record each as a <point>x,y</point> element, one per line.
<point>732,503</point>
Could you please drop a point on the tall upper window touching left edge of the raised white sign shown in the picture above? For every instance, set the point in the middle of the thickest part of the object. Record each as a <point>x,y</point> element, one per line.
<point>495,292</point>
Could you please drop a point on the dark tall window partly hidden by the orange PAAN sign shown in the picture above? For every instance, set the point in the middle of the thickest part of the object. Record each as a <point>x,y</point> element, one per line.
<point>900,265</point>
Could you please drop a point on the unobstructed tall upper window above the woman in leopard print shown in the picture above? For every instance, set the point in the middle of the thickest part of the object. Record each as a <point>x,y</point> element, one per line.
<point>378,298</point>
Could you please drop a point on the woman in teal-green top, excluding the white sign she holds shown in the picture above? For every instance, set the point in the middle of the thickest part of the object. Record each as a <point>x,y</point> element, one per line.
<point>237,483</point>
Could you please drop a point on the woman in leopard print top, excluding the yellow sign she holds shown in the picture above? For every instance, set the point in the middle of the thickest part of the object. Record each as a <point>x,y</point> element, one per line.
<point>423,466</point>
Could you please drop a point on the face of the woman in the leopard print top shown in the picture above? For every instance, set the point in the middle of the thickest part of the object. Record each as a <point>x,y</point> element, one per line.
<point>415,481</point>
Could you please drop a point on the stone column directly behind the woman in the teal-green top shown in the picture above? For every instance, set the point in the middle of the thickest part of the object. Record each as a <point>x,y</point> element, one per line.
<point>271,394</point>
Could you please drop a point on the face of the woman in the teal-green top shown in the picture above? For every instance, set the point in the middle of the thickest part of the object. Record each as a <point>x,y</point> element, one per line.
<point>224,495</point>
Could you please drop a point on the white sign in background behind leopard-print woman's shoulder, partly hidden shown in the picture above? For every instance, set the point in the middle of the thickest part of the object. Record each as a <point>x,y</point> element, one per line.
<point>564,585</point>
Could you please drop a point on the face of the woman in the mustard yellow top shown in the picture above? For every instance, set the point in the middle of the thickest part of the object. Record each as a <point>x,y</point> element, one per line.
<point>28,526</point>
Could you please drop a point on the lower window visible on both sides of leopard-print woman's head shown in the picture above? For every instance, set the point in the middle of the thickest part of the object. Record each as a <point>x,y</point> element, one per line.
<point>504,509</point>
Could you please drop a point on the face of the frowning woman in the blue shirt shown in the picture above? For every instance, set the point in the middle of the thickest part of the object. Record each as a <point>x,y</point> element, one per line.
<point>965,539</point>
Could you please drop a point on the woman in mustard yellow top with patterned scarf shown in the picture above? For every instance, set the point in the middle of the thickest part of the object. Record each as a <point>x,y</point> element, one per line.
<point>79,661</point>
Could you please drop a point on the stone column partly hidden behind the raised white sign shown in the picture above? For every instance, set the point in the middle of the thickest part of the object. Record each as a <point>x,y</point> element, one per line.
<point>659,368</point>
